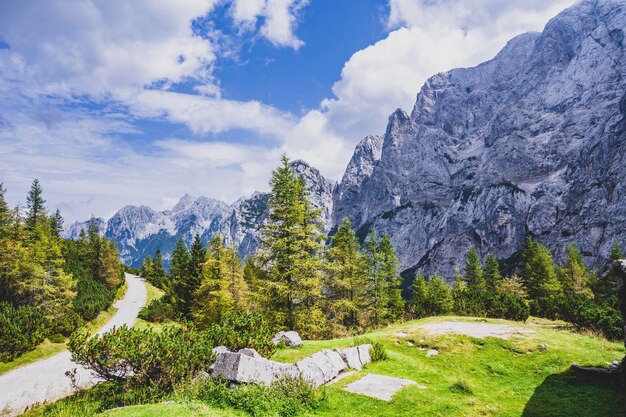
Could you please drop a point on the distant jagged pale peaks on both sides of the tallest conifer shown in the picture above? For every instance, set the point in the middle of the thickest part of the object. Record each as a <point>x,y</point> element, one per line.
<point>138,231</point>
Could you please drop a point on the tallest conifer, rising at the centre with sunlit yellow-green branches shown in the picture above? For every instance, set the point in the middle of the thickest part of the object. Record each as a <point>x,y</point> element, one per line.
<point>289,255</point>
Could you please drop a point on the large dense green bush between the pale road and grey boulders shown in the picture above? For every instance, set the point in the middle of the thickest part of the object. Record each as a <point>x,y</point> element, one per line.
<point>143,357</point>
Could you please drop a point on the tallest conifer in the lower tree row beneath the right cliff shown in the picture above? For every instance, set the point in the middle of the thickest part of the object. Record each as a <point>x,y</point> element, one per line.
<point>540,278</point>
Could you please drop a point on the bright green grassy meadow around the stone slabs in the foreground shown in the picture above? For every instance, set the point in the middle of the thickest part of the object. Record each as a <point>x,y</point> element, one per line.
<point>469,377</point>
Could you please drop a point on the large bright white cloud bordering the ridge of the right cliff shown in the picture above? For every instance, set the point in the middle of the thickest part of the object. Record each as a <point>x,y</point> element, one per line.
<point>430,37</point>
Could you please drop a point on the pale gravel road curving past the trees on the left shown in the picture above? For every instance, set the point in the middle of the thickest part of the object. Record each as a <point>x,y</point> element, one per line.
<point>45,380</point>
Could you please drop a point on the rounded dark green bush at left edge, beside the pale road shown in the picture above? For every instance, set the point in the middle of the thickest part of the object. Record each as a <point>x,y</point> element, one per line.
<point>21,330</point>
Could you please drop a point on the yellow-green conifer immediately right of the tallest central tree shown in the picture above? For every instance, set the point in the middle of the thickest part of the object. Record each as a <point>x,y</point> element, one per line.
<point>345,281</point>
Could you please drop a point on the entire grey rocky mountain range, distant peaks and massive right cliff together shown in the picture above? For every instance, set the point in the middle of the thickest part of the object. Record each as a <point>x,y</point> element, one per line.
<point>530,143</point>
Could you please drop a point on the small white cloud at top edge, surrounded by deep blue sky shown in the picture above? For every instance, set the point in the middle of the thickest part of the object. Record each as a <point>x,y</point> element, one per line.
<point>279,19</point>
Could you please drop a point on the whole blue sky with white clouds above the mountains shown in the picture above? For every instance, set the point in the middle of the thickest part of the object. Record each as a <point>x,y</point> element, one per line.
<point>114,102</point>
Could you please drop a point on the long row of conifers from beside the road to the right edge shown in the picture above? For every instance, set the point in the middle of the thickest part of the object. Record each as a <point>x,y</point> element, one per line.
<point>297,282</point>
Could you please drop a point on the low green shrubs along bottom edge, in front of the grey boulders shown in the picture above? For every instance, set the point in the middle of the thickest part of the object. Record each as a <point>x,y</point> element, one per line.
<point>284,398</point>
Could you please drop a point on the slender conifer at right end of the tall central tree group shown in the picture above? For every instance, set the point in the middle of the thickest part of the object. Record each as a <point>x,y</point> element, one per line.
<point>389,270</point>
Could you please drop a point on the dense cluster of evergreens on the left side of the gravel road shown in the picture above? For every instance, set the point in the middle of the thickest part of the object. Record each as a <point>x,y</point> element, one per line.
<point>49,285</point>
